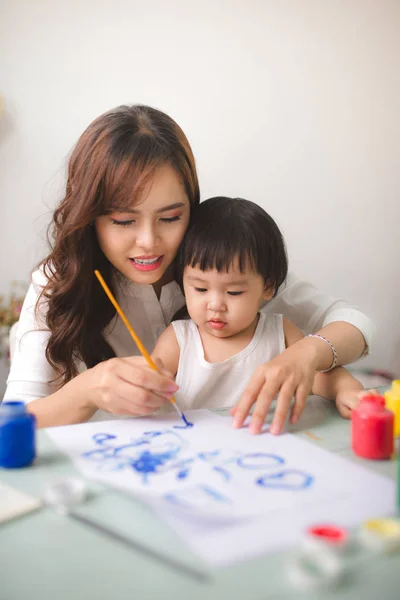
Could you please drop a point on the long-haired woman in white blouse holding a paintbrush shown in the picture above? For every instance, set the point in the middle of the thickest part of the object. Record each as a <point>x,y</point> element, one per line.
<point>131,185</point>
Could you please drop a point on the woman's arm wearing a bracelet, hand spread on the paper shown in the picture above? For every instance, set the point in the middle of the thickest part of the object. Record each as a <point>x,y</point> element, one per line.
<point>292,372</point>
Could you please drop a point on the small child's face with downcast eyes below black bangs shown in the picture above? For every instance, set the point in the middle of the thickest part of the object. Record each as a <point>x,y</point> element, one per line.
<point>226,303</point>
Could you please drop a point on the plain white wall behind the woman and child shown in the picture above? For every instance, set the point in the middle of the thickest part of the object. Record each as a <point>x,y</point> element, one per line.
<point>293,104</point>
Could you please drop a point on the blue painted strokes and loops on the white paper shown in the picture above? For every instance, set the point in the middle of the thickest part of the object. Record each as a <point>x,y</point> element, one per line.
<point>159,452</point>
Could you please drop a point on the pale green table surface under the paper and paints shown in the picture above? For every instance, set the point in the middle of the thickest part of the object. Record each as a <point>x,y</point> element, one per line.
<point>47,556</point>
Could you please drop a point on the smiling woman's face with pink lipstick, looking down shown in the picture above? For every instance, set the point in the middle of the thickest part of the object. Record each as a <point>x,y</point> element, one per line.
<point>142,242</point>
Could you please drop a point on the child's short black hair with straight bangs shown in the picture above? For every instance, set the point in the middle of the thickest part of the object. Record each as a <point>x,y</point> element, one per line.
<point>224,229</point>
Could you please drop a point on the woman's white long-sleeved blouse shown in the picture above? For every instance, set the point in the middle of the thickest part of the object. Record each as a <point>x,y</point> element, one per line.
<point>31,375</point>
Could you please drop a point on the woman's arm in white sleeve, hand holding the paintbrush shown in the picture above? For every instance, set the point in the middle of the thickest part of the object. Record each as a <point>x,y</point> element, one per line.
<point>120,386</point>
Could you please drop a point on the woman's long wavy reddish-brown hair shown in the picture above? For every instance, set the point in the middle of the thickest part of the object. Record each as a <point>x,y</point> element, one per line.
<point>109,167</point>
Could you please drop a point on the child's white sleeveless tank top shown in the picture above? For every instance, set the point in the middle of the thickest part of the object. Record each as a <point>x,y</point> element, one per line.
<point>215,385</point>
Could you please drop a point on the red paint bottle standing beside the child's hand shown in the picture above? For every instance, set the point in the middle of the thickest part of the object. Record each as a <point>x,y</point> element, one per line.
<point>372,428</point>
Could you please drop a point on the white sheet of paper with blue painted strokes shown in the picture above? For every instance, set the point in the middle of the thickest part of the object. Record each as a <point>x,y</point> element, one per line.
<point>231,495</point>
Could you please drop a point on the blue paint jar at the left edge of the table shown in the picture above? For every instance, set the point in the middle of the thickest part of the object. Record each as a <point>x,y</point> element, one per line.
<point>17,435</point>
